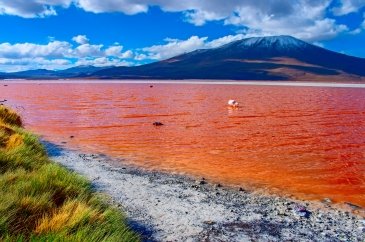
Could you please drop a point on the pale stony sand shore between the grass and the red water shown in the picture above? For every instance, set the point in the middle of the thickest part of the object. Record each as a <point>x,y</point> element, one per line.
<point>166,207</point>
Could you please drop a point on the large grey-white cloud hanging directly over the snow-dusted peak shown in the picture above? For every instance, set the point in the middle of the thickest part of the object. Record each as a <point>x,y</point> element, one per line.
<point>305,21</point>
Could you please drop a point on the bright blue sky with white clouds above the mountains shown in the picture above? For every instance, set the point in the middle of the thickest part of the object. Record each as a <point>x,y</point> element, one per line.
<point>58,34</point>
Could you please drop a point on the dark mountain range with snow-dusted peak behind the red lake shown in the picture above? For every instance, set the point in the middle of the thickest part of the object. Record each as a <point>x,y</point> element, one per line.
<point>260,58</point>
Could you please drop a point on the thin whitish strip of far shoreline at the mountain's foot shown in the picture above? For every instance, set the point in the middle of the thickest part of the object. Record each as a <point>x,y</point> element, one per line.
<point>194,82</point>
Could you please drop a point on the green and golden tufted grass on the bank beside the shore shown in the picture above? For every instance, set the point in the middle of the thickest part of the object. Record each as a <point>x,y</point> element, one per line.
<point>42,201</point>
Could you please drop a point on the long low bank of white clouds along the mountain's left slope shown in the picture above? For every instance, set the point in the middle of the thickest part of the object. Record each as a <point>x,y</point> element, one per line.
<point>62,54</point>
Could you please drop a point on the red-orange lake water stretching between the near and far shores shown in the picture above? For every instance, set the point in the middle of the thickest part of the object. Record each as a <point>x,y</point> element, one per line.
<point>305,141</point>
